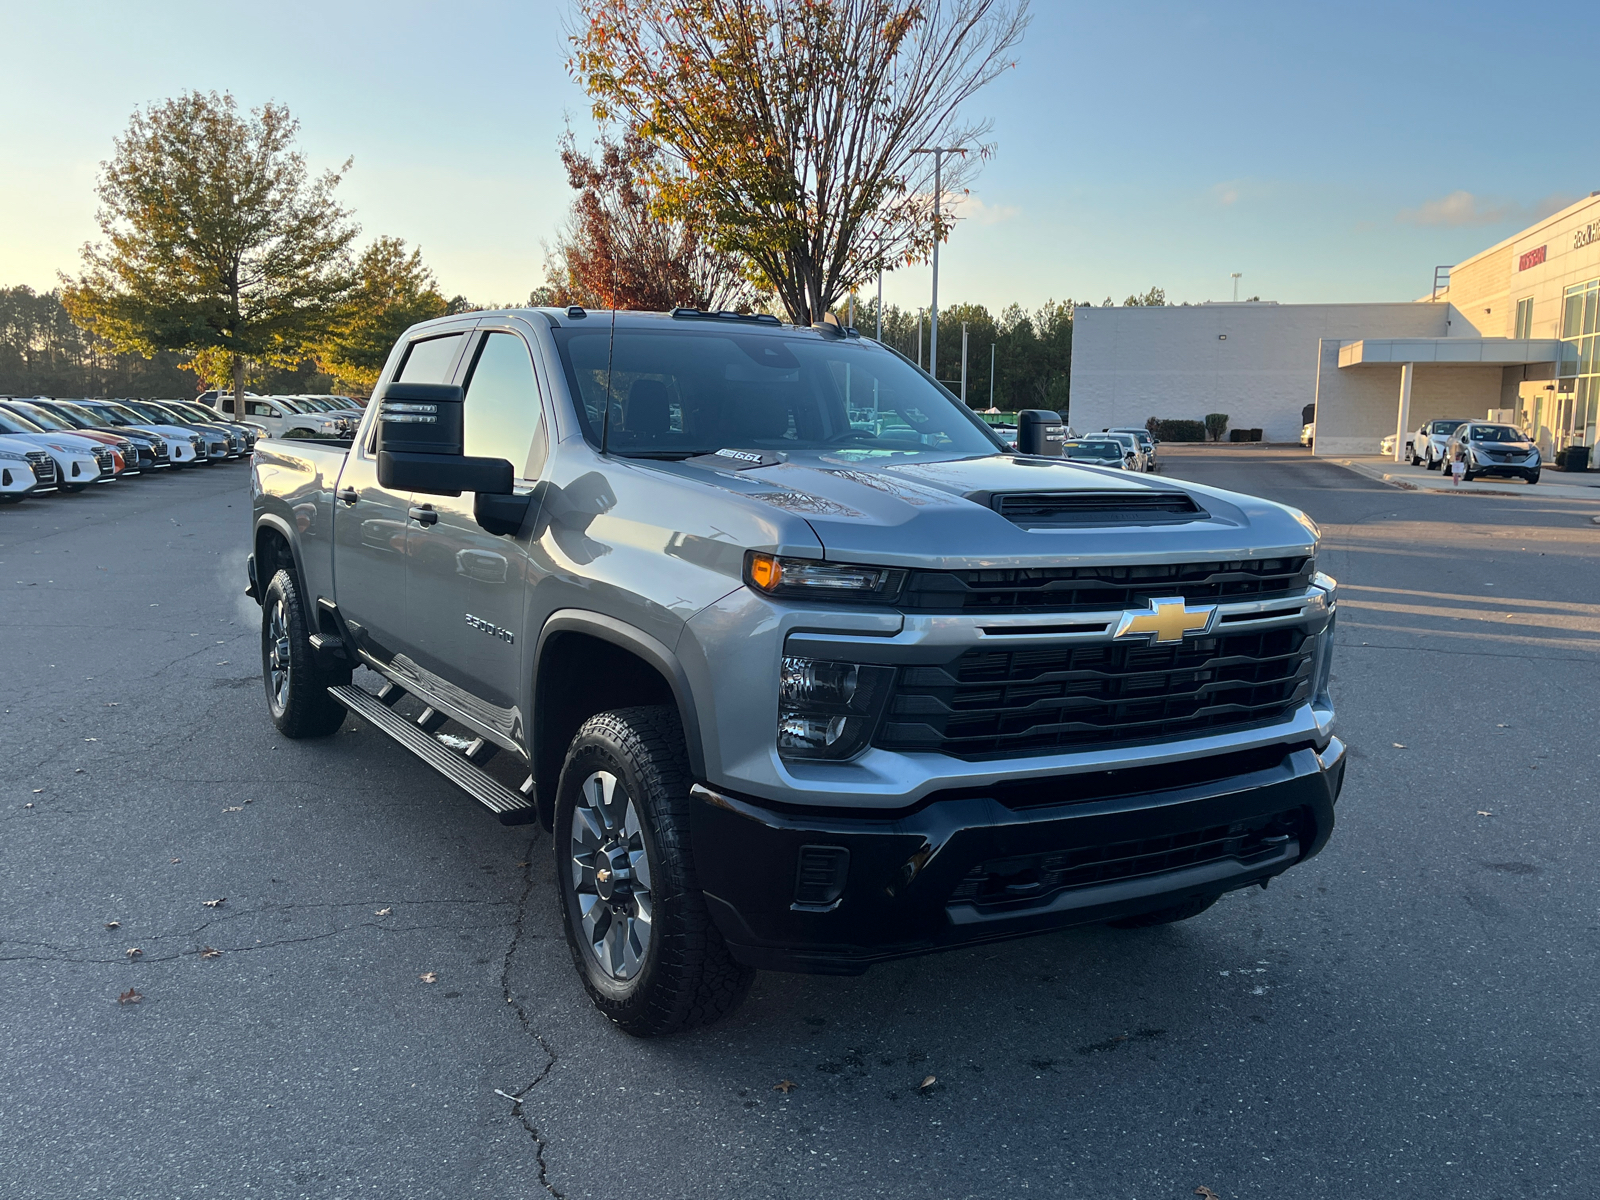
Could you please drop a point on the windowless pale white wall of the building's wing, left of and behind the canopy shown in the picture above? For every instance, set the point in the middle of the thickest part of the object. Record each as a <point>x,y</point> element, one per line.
<point>1255,362</point>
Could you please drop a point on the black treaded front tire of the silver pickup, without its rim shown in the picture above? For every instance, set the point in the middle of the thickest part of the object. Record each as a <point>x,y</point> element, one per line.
<point>686,977</point>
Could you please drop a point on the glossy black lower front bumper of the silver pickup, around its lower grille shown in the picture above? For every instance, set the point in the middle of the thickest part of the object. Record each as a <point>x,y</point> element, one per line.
<point>906,865</point>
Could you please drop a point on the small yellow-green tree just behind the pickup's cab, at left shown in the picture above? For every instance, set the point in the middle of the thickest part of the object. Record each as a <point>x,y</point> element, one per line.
<point>394,290</point>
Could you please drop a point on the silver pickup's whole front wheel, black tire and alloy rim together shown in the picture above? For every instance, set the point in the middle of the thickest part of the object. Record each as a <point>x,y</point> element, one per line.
<point>638,926</point>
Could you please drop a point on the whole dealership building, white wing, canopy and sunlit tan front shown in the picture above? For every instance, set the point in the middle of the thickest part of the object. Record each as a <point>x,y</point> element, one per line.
<point>1511,332</point>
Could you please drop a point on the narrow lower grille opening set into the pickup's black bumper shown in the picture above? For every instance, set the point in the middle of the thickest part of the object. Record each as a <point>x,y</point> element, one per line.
<point>1033,879</point>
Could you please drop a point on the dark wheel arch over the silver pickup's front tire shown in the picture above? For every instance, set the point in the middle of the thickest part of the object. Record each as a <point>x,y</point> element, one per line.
<point>586,663</point>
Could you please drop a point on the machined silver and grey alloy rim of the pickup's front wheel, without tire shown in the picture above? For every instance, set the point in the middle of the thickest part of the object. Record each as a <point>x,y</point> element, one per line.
<point>612,876</point>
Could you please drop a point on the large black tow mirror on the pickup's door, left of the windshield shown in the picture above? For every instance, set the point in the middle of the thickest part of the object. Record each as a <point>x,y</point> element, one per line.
<point>420,442</point>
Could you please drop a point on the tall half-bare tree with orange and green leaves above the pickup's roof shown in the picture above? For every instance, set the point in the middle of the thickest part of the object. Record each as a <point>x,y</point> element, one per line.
<point>791,130</point>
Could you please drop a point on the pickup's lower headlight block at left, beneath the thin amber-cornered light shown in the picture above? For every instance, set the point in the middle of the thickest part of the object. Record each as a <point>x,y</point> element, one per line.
<point>830,710</point>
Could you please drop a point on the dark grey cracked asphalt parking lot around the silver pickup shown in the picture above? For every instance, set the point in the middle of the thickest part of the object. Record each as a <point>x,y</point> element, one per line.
<point>1412,1014</point>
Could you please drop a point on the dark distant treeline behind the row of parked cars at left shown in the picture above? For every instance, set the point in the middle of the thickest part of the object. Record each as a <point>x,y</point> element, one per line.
<point>42,353</point>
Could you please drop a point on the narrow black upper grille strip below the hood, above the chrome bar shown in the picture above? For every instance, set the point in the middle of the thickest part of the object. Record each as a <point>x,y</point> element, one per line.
<point>1092,590</point>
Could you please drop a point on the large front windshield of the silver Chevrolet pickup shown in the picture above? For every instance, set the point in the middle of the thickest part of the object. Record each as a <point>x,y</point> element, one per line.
<point>682,393</point>
